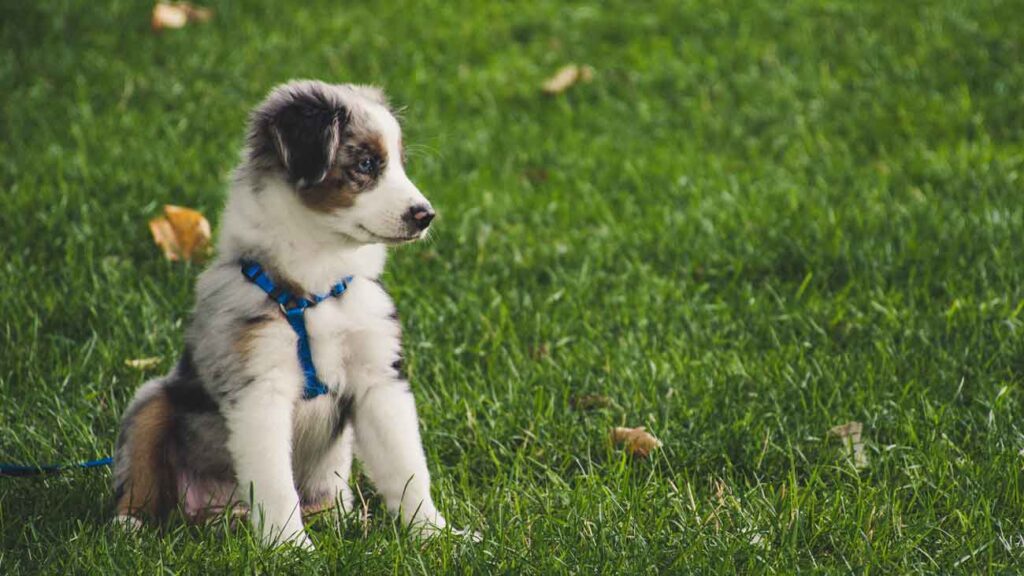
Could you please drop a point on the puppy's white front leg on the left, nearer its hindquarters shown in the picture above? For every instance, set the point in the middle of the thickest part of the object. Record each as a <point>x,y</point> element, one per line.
<point>261,443</point>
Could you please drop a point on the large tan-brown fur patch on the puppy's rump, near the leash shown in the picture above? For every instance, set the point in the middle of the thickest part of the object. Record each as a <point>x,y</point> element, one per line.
<point>151,487</point>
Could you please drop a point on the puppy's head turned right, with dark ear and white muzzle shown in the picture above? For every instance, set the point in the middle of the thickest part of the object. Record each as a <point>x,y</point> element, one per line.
<point>339,150</point>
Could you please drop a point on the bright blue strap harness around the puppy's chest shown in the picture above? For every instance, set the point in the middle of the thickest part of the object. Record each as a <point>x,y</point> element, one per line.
<point>294,309</point>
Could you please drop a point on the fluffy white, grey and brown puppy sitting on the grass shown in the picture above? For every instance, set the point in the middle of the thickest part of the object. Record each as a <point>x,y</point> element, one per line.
<point>320,194</point>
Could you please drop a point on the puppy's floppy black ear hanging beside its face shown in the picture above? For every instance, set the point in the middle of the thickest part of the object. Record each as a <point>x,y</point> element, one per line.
<point>307,134</point>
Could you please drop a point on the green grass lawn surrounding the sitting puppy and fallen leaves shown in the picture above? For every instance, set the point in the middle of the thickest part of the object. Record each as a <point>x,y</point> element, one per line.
<point>758,222</point>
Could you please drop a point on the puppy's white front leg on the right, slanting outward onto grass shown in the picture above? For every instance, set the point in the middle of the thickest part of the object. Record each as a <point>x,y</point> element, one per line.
<point>388,438</point>
